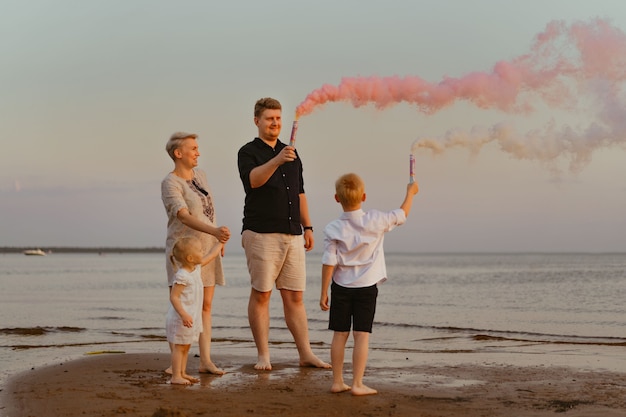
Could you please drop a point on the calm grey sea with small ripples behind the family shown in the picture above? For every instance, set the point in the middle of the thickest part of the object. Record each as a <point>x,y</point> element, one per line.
<point>61,306</point>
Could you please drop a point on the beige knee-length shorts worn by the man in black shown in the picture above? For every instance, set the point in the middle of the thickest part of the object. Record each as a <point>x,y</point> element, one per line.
<point>275,258</point>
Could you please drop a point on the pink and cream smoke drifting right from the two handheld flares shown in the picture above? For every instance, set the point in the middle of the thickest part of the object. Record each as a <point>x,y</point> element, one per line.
<point>566,66</point>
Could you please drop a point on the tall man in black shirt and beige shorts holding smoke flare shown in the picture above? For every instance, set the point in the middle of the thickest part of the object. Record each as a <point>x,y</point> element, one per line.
<point>275,214</point>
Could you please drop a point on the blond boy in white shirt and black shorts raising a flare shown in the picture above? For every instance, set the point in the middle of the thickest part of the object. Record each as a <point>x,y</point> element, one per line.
<point>355,262</point>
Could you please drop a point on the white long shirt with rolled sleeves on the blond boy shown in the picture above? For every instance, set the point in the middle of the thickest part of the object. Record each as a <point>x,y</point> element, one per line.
<point>353,243</point>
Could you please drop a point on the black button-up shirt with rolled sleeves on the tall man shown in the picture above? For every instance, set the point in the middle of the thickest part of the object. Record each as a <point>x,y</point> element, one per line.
<point>273,207</point>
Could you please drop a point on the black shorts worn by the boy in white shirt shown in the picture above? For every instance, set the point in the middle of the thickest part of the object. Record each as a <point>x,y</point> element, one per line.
<point>352,305</point>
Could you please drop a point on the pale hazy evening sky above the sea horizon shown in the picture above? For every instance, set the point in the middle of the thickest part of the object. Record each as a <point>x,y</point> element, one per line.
<point>91,91</point>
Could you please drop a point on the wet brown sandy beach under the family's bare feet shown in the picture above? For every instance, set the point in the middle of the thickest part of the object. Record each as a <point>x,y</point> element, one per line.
<point>134,384</point>
